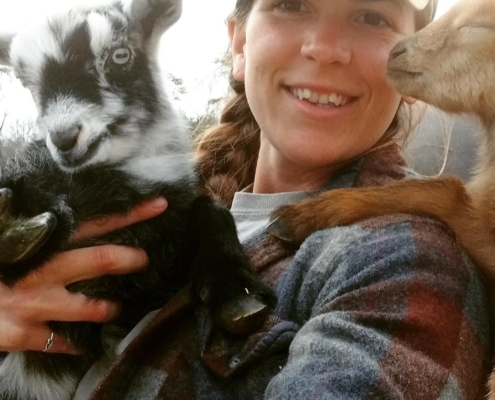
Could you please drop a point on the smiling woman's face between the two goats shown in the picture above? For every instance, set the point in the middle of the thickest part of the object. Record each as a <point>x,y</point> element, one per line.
<point>314,73</point>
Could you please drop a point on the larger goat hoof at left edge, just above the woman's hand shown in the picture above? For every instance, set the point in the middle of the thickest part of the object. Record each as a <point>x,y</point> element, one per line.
<point>23,238</point>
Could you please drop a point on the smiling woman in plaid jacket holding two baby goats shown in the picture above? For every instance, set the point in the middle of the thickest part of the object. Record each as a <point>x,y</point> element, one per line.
<point>387,308</point>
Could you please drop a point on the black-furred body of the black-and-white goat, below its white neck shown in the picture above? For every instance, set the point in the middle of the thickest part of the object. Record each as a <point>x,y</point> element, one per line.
<point>179,243</point>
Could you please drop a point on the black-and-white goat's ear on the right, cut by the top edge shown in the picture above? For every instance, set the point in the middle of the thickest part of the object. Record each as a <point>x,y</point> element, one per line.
<point>152,17</point>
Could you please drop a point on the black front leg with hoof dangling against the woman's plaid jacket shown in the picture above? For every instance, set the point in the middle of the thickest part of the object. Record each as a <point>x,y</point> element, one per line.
<point>222,278</point>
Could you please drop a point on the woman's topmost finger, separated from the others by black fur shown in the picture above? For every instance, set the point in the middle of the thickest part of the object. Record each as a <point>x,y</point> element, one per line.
<point>143,211</point>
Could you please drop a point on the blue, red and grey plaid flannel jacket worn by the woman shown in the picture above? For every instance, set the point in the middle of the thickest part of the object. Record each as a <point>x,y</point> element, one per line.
<point>389,308</point>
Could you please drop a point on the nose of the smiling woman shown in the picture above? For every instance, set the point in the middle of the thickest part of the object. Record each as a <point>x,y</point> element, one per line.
<point>327,43</point>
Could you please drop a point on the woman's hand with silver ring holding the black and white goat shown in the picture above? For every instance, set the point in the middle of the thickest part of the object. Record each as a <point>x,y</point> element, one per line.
<point>26,308</point>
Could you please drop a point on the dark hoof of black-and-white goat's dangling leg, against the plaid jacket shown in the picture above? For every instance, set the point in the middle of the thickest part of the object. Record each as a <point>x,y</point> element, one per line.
<point>243,314</point>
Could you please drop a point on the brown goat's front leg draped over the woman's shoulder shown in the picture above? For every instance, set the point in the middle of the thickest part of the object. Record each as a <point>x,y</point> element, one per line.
<point>445,199</point>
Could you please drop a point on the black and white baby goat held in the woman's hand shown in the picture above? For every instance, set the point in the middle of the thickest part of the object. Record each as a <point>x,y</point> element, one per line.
<point>110,140</point>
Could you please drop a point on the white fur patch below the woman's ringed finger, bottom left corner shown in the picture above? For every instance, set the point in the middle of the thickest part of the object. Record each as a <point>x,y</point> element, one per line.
<point>16,380</point>
